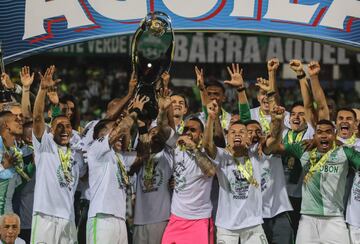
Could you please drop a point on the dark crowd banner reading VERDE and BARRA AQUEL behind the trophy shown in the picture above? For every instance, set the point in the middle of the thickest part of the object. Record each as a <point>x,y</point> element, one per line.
<point>220,48</point>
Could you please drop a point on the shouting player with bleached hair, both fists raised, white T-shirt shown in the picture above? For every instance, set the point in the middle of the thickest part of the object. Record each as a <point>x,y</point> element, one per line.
<point>239,215</point>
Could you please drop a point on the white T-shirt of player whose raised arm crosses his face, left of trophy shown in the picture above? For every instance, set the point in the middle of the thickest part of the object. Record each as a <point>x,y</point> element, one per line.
<point>107,190</point>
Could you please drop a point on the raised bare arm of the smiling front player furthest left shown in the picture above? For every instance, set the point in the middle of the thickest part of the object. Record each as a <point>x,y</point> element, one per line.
<point>46,82</point>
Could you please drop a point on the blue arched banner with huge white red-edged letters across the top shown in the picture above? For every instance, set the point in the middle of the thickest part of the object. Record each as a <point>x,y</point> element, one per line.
<point>31,26</point>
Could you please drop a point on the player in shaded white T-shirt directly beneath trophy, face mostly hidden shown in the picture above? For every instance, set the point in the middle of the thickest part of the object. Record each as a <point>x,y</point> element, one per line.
<point>153,195</point>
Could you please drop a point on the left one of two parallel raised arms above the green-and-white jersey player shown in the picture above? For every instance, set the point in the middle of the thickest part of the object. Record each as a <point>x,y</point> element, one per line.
<point>310,115</point>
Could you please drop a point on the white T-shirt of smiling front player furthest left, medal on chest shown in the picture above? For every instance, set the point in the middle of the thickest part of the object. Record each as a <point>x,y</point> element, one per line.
<point>54,194</point>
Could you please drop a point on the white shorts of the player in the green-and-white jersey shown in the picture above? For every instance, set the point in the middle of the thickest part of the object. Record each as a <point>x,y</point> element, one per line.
<point>319,229</point>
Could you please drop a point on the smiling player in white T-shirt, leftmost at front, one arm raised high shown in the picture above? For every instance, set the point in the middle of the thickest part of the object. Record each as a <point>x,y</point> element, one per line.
<point>58,167</point>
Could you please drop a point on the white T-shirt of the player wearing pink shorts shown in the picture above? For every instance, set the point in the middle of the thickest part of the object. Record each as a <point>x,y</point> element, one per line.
<point>191,196</point>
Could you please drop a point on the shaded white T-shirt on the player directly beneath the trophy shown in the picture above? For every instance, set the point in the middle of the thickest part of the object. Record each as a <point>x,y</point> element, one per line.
<point>153,201</point>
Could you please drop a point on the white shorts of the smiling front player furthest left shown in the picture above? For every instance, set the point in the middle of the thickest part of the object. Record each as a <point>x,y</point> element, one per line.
<point>50,229</point>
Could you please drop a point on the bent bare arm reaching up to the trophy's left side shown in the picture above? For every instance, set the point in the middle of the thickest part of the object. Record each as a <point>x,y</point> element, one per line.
<point>116,106</point>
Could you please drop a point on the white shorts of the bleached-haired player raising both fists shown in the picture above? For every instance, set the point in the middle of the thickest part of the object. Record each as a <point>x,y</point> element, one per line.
<point>250,235</point>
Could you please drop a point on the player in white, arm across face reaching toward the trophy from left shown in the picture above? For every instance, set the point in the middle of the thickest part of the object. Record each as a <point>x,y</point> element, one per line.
<point>108,179</point>
